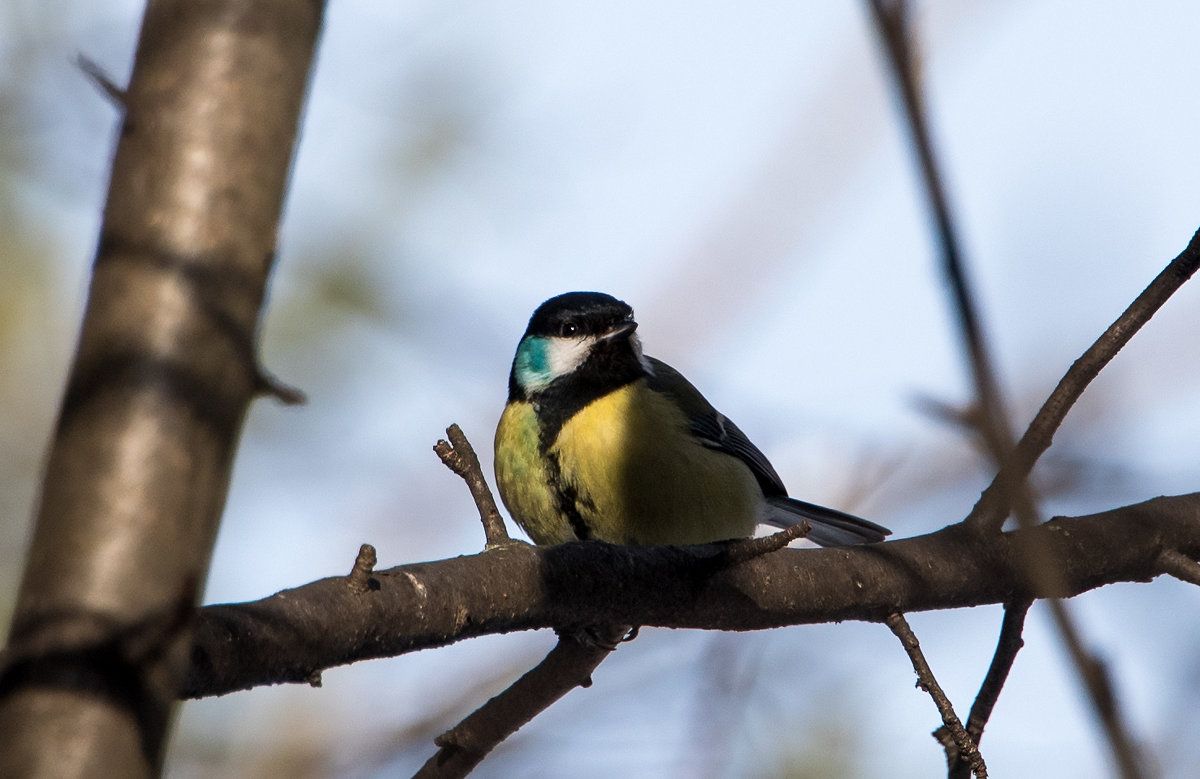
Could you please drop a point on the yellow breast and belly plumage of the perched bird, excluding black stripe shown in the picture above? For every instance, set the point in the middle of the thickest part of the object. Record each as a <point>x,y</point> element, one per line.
<point>633,472</point>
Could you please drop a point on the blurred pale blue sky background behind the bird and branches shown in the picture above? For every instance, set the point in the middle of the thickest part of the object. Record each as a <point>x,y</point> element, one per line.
<point>739,173</point>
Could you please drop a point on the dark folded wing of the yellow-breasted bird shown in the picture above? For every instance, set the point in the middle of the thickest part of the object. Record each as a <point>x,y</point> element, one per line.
<point>712,428</point>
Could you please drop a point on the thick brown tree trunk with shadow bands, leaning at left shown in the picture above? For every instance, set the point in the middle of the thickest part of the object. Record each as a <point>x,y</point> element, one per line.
<point>164,375</point>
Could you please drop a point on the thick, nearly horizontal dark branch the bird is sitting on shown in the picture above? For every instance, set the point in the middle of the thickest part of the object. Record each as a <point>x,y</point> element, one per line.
<point>289,637</point>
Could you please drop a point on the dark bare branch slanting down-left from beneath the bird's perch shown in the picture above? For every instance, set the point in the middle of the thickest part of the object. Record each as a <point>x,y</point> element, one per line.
<point>568,666</point>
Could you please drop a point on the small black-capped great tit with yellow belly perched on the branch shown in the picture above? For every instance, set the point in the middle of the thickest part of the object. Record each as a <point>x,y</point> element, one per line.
<point>601,442</point>
